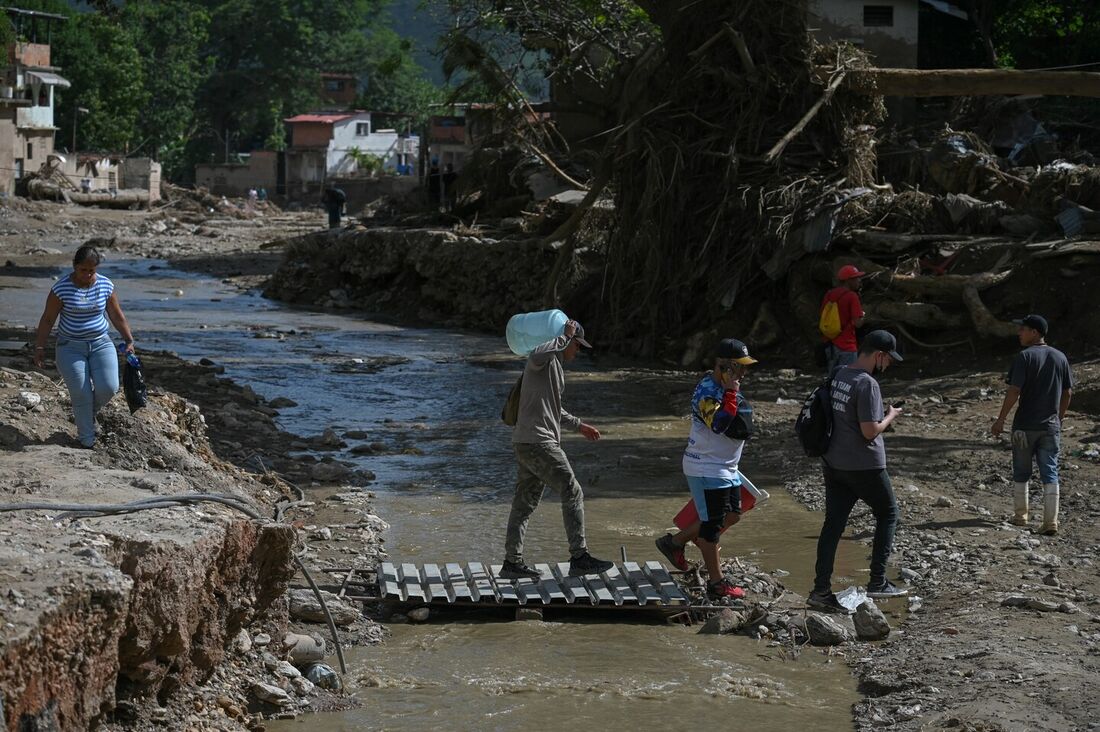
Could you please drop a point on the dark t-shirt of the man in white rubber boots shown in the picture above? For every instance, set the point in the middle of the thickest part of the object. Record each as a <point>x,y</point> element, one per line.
<point>1042,374</point>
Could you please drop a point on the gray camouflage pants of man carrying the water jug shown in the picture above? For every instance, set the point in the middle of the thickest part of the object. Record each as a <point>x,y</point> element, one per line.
<point>545,465</point>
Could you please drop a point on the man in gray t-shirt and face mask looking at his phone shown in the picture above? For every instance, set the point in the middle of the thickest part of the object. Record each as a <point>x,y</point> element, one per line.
<point>855,467</point>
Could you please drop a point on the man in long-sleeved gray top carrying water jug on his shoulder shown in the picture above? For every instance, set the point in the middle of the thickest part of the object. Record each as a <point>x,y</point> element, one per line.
<point>536,441</point>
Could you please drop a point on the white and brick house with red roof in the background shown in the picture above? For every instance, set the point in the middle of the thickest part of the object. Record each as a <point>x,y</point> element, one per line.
<point>331,145</point>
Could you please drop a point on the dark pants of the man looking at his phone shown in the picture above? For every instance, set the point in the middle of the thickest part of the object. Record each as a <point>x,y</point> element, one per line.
<point>843,488</point>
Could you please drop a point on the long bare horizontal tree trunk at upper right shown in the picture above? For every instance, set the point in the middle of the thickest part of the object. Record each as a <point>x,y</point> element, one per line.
<point>972,82</point>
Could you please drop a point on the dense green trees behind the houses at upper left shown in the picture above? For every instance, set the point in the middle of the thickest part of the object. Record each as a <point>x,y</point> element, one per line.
<point>195,81</point>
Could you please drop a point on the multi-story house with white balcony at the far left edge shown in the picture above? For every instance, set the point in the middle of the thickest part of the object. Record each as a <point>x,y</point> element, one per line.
<point>27,96</point>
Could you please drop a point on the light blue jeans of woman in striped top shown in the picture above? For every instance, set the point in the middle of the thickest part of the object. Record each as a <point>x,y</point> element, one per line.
<point>91,370</point>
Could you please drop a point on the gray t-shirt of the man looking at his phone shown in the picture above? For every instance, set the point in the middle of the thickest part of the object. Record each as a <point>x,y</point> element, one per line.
<point>856,399</point>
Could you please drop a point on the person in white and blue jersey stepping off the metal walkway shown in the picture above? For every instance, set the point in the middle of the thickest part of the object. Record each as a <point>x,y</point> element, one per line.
<point>710,464</point>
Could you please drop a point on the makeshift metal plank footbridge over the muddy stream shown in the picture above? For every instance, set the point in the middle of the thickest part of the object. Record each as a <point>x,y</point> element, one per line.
<point>630,586</point>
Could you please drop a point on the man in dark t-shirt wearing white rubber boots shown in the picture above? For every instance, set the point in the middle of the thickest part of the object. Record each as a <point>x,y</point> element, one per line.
<point>1041,381</point>
